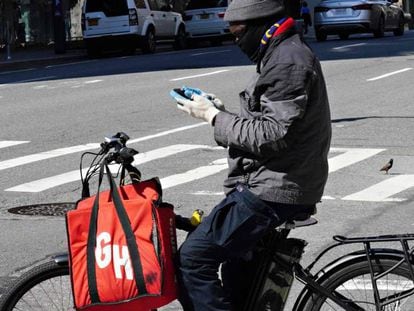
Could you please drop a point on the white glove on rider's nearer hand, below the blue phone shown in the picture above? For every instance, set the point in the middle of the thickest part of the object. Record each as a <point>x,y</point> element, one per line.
<point>199,107</point>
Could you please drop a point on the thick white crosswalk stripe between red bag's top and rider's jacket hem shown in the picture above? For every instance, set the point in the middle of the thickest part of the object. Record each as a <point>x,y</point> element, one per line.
<point>198,173</point>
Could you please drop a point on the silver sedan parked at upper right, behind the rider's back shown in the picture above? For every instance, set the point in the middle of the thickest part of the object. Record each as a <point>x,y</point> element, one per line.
<point>345,17</point>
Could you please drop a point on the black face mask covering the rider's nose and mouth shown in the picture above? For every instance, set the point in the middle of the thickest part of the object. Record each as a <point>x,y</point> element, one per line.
<point>249,40</point>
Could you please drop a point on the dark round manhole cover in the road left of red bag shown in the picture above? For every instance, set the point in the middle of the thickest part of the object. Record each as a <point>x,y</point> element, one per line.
<point>51,209</point>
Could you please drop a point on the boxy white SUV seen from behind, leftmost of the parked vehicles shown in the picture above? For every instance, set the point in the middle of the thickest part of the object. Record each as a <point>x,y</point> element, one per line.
<point>128,24</point>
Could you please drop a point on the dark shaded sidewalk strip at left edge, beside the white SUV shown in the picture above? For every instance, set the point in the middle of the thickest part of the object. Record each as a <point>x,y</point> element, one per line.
<point>23,57</point>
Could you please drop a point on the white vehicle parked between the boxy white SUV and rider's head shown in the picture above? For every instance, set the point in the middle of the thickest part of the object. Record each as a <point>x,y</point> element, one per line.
<point>204,20</point>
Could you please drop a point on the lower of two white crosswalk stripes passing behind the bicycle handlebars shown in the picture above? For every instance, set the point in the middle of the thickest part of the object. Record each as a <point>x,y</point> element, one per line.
<point>58,180</point>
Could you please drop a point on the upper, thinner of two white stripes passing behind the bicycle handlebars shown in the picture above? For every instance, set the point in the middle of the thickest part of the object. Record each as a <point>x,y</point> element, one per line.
<point>65,151</point>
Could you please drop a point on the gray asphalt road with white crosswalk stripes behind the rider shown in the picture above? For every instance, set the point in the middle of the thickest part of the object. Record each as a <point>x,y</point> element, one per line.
<point>50,114</point>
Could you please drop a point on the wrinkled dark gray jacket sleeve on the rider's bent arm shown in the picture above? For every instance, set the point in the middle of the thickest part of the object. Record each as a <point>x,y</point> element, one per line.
<point>284,93</point>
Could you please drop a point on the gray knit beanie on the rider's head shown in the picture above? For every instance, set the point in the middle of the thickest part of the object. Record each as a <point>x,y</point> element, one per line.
<point>243,10</point>
